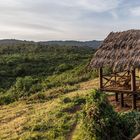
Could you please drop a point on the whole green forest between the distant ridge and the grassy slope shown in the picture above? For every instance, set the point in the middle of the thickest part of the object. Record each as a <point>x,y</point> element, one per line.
<point>27,68</point>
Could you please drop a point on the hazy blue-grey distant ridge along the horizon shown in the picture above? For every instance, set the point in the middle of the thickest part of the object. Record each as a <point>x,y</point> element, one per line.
<point>94,43</point>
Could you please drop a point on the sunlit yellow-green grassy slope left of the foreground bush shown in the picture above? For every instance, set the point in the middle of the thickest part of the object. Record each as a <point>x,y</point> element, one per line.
<point>27,120</point>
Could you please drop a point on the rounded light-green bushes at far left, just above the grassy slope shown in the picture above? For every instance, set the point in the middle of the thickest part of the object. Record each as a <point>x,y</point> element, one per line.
<point>23,88</point>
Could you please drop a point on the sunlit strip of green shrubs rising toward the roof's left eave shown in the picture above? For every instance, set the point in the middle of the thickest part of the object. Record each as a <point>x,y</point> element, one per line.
<point>71,77</point>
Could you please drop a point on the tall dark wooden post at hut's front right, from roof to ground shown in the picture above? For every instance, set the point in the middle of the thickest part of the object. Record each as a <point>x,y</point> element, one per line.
<point>133,88</point>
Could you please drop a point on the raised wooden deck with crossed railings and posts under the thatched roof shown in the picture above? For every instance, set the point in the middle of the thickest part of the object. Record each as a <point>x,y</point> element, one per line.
<point>120,83</point>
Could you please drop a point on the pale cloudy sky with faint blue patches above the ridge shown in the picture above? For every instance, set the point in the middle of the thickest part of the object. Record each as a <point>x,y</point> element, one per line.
<point>41,20</point>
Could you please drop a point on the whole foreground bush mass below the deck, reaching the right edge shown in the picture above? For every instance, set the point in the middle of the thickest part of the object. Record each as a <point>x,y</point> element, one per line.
<point>101,122</point>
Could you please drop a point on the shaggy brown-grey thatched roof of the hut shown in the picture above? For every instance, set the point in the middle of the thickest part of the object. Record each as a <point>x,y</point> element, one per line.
<point>120,51</point>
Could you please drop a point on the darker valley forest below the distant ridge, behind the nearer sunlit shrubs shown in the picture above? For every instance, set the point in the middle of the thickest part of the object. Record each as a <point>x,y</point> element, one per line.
<point>36,60</point>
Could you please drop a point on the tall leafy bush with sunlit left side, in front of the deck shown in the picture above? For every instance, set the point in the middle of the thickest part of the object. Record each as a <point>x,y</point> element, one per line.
<point>100,120</point>
